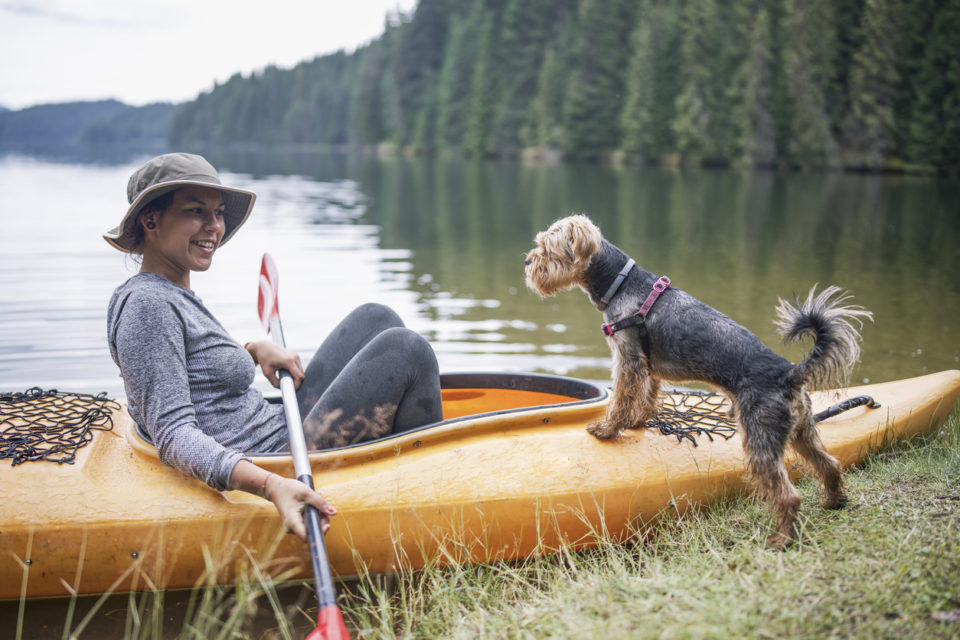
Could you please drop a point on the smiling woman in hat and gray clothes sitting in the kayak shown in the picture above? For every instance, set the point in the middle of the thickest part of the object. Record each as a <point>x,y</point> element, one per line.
<point>188,383</point>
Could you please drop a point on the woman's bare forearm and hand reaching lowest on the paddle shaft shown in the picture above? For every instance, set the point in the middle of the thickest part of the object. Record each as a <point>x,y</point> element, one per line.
<point>288,495</point>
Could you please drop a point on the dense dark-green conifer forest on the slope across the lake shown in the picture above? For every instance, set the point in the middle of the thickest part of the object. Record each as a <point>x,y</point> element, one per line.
<point>857,84</point>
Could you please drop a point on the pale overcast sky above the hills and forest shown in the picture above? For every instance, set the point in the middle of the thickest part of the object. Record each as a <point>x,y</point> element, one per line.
<point>144,51</point>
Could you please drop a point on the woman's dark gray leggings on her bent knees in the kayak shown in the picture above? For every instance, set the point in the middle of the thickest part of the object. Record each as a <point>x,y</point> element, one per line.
<point>370,378</point>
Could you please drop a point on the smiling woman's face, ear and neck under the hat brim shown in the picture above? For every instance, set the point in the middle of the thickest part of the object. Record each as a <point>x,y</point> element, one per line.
<point>186,235</point>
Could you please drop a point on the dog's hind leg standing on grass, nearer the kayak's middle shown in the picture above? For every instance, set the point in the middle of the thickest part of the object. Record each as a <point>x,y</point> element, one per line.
<point>765,438</point>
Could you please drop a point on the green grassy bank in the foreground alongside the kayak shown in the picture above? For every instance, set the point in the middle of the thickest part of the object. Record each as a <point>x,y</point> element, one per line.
<point>888,566</point>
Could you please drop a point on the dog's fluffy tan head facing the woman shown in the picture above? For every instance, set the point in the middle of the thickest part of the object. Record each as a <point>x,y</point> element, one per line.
<point>562,255</point>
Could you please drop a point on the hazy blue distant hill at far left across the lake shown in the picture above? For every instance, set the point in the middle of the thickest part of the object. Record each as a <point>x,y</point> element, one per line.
<point>75,125</point>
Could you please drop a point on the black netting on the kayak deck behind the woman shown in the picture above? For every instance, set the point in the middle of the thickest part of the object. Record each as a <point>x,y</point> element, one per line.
<point>50,425</point>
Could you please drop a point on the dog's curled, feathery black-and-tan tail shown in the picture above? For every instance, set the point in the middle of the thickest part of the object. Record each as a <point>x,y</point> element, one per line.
<point>836,347</point>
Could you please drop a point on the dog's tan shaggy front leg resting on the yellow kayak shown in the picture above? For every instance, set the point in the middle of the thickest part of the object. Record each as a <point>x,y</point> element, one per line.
<point>633,400</point>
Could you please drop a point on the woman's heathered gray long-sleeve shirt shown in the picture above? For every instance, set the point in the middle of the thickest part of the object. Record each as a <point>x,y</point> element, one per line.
<point>188,383</point>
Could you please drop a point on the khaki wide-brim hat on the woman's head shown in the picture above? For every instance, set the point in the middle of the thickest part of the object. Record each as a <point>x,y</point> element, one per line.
<point>167,173</point>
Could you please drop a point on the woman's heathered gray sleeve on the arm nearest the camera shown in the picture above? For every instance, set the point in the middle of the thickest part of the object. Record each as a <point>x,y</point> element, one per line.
<point>148,340</point>
